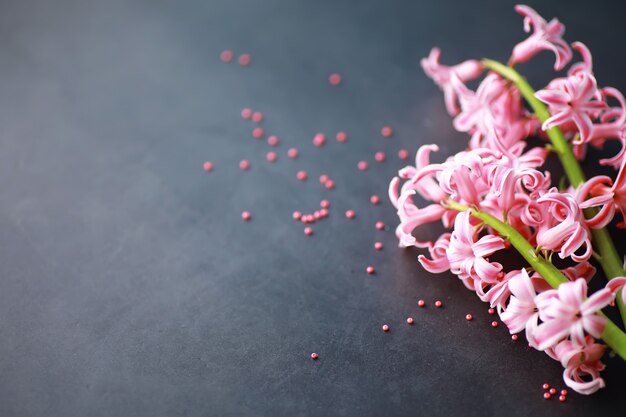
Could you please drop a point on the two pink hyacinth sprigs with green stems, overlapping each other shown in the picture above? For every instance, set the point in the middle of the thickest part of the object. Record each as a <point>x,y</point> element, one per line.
<point>496,195</point>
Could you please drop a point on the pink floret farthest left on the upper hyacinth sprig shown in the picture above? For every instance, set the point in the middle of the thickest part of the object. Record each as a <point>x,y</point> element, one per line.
<point>440,74</point>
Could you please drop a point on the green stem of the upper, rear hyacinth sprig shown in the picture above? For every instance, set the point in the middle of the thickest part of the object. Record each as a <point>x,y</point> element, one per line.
<point>603,244</point>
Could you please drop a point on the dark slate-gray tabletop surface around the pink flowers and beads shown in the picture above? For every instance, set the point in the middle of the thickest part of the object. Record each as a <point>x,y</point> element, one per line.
<point>129,286</point>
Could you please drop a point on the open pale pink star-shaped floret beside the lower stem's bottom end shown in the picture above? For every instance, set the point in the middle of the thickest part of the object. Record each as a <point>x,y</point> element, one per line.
<point>567,312</point>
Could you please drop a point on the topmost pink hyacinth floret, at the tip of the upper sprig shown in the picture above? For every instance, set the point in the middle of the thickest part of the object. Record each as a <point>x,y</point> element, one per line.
<point>545,36</point>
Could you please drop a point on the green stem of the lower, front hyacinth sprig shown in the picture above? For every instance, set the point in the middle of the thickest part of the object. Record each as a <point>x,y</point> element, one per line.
<point>612,335</point>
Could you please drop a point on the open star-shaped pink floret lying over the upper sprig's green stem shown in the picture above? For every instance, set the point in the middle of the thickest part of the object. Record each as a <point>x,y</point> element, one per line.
<point>574,99</point>
